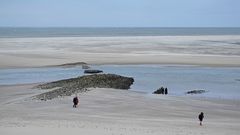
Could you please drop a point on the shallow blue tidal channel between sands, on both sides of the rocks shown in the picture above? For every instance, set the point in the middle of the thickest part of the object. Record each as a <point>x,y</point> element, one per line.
<point>219,82</point>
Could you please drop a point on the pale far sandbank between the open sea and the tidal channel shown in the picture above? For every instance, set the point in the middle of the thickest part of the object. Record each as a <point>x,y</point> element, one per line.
<point>191,50</point>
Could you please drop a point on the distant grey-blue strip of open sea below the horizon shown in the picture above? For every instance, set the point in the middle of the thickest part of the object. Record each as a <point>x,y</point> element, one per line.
<point>16,32</point>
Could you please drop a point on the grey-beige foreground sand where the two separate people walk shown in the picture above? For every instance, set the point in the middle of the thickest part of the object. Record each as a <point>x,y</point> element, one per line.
<point>114,112</point>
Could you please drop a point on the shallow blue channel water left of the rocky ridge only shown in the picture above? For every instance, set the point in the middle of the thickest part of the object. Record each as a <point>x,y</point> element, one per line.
<point>36,75</point>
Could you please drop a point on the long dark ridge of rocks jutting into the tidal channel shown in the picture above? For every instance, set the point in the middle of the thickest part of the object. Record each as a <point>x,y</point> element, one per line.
<point>72,86</point>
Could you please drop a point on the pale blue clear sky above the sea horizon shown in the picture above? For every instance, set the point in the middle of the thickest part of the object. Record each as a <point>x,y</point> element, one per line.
<point>120,13</point>
